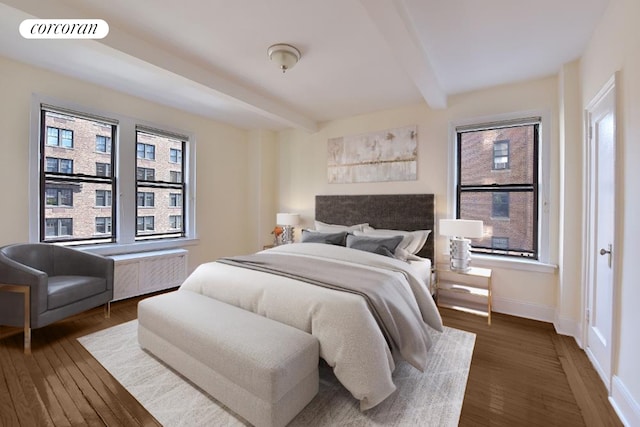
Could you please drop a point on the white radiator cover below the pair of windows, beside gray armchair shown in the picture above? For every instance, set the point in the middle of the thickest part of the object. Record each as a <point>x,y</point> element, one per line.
<point>146,272</point>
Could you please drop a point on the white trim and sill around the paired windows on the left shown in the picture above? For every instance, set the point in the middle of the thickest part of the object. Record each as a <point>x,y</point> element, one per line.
<point>126,174</point>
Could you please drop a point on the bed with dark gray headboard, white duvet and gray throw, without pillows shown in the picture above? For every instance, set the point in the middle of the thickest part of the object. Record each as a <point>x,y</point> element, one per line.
<point>361,339</point>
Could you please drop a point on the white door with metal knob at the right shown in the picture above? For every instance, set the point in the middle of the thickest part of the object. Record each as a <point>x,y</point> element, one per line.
<point>601,229</point>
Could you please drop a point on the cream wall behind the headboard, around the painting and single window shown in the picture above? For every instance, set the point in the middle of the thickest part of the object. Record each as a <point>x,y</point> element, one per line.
<point>304,173</point>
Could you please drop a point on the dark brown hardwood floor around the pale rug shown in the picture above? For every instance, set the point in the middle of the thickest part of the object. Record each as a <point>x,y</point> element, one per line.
<point>522,374</point>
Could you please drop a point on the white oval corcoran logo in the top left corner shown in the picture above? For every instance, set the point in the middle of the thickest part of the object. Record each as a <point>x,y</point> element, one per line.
<point>64,29</point>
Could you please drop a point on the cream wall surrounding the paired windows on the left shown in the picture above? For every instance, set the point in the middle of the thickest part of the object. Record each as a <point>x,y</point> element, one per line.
<point>221,163</point>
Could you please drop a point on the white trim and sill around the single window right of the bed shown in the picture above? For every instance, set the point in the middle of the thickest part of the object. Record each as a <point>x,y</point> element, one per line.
<point>544,165</point>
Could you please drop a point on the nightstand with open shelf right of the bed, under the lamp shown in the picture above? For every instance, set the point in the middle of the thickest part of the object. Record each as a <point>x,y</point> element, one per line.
<point>468,291</point>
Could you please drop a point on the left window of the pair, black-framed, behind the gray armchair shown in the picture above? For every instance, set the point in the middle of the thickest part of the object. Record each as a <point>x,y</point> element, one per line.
<point>70,181</point>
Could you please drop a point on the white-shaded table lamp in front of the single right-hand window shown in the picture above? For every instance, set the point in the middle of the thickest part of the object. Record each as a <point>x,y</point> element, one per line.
<point>458,230</point>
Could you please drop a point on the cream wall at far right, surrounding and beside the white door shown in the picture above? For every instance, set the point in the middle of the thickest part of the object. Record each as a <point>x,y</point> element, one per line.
<point>615,46</point>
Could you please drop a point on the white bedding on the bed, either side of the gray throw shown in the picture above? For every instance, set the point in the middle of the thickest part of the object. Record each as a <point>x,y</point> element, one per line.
<point>350,339</point>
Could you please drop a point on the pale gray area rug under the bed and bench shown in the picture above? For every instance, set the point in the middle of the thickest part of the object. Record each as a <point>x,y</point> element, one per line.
<point>432,398</point>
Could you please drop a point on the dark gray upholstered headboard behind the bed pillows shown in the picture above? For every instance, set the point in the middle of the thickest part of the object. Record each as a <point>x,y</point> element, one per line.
<point>407,212</point>
